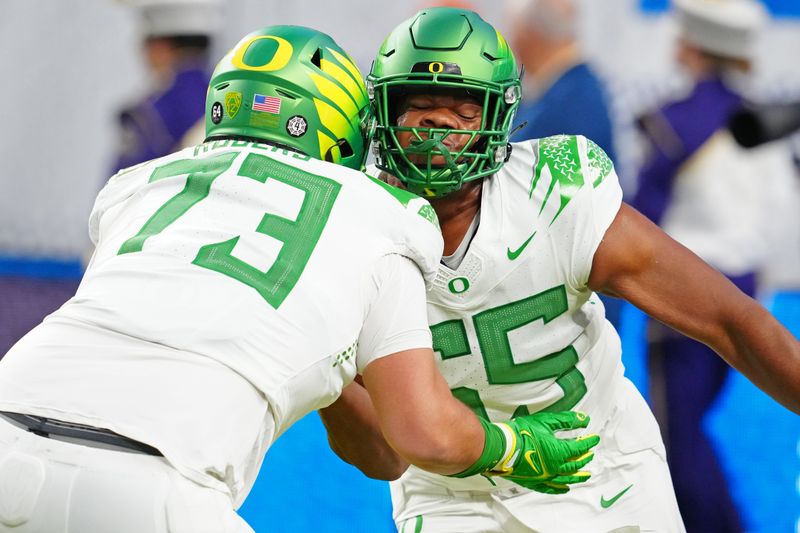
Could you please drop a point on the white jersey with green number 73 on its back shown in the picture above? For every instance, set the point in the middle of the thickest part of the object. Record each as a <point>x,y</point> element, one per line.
<point>231,292</point>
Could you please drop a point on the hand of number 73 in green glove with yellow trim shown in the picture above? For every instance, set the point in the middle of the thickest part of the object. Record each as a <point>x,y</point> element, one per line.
<point>540,460</point>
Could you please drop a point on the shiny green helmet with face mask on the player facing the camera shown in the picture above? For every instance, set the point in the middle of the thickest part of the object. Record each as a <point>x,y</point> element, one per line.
<point>443,49</point>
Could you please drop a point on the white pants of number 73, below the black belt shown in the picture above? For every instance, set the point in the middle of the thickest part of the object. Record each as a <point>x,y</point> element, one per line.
<point>52,486</point>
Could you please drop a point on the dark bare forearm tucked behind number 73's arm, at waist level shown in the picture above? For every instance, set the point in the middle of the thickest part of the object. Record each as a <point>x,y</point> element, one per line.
<point>355,436</point>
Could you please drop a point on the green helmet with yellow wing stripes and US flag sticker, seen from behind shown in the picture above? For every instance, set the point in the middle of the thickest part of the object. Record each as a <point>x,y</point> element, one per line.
<point>295,87</point>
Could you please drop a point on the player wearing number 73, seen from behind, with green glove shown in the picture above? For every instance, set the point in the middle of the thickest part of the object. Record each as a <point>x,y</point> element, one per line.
<point>236,286</point>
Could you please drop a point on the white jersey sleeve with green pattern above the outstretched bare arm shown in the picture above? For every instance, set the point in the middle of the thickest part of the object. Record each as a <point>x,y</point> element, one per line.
<point>599,205</point>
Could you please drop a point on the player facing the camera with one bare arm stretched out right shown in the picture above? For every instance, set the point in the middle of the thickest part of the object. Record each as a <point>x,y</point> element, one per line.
<point>532,231</point>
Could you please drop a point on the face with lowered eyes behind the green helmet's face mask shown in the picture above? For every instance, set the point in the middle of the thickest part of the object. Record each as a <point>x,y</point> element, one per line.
<point>445,110</point>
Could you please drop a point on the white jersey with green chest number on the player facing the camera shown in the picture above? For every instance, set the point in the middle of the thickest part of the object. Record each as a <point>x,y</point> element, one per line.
<point>515,327</point>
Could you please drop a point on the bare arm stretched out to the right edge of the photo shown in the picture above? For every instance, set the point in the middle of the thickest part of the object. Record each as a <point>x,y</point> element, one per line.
<point>674,286</point>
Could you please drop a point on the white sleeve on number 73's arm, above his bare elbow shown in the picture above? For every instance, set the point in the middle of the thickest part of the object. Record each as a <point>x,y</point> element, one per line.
<point>397,320</point>
